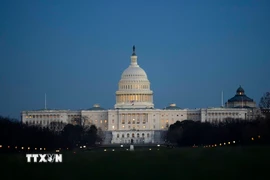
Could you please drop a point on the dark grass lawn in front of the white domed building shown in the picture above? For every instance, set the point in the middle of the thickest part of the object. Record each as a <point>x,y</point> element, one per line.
<point>183,163</point>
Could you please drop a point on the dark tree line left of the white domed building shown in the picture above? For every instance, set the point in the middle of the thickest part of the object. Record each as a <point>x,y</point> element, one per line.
<point>14,133</point>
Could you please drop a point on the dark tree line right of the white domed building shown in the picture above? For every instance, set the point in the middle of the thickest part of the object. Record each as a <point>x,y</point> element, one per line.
<point>190,133</point>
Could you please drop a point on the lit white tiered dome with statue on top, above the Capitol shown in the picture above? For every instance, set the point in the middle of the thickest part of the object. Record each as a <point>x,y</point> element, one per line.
<point>134,87</point>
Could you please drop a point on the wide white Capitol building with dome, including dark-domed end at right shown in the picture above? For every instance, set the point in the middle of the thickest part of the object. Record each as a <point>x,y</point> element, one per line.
<point>134,116</point>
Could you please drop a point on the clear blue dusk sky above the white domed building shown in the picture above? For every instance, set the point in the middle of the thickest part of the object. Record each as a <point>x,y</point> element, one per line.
<point>76,51</point>
